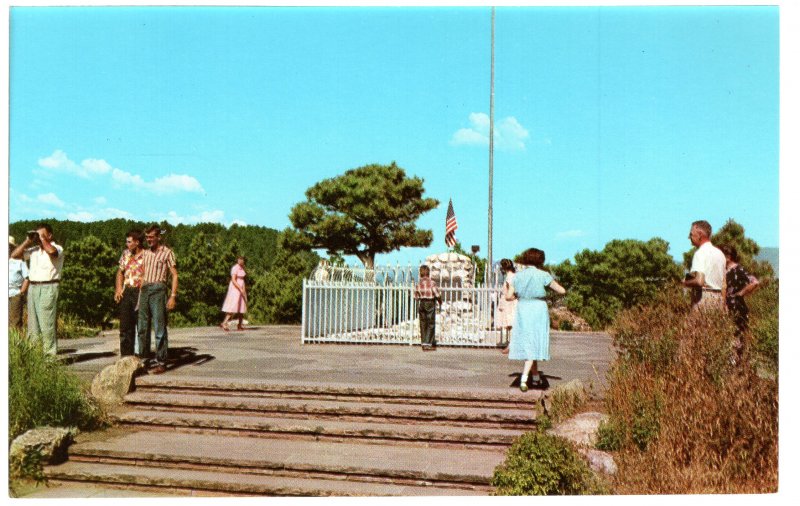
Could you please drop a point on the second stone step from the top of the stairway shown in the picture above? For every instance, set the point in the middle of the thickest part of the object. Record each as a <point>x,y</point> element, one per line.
<point>334,409</point>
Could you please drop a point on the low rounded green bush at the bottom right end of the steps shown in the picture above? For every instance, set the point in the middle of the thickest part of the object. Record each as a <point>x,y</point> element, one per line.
<point>541,464</point>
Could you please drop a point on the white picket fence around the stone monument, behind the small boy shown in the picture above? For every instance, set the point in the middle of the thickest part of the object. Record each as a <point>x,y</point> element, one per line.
<point>382,310</point>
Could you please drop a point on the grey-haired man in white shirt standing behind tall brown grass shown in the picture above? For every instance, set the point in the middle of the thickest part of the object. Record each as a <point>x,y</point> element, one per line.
<point>708,267</point>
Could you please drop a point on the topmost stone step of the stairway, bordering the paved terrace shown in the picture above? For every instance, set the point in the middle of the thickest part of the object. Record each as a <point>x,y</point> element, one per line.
<point>453,395</point>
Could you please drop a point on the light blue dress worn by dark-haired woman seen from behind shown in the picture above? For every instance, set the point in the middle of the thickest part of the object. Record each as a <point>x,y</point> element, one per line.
<point>531,337</point>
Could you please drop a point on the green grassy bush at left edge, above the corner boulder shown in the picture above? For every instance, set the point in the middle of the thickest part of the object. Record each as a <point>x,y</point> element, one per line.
<point>41,391</point>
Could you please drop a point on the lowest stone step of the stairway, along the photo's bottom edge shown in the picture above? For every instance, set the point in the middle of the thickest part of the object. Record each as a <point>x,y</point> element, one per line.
<point>213,483</point>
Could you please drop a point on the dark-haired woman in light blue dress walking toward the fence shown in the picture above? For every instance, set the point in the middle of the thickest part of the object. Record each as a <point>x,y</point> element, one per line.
<point>531,341</point>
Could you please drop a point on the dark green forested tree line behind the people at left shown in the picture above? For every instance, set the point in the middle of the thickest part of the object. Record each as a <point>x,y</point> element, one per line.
<point>205,253</point>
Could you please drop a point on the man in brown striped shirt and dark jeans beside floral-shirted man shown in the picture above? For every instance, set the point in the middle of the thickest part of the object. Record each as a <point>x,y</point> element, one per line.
<point>153,302</point>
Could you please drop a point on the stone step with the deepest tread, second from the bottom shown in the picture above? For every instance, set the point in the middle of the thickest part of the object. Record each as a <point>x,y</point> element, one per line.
<point>400,465</point>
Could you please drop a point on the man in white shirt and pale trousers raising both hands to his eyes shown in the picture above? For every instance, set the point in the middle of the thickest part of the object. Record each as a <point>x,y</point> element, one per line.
<point>44,273</point>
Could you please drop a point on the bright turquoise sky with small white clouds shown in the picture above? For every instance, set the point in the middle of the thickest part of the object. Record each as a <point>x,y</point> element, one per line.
<point>610,122</point>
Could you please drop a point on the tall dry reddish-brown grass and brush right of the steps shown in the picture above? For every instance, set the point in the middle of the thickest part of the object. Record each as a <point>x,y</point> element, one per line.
<point>683,417</point>
